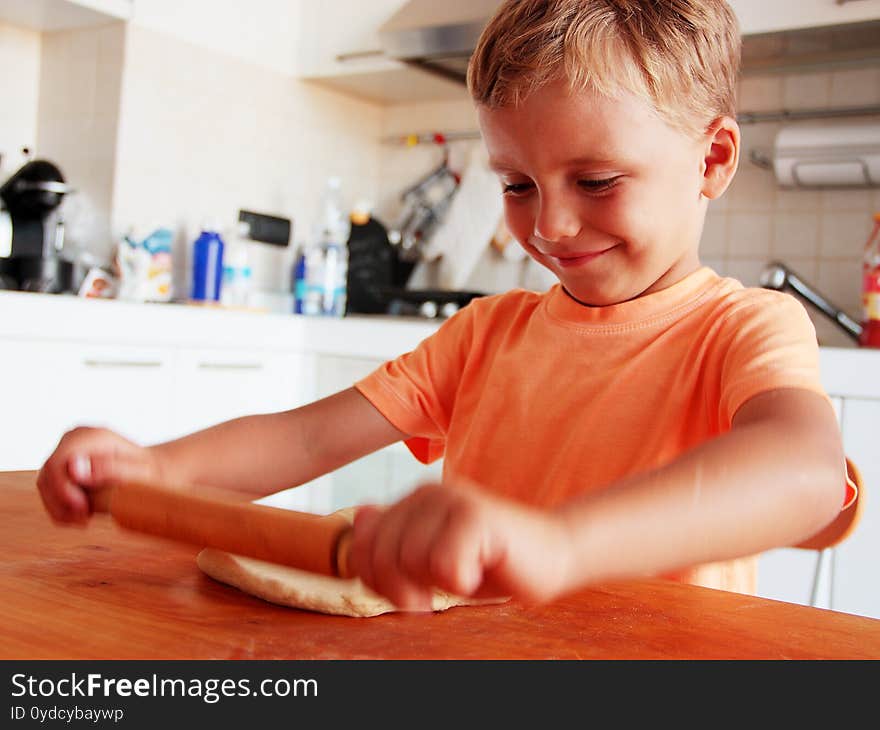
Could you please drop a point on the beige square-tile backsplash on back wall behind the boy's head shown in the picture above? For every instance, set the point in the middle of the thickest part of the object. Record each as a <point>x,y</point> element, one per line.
<point>819,234</point>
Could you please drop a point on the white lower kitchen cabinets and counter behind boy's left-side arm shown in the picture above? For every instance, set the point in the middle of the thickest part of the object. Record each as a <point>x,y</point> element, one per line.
<point>156,372</point>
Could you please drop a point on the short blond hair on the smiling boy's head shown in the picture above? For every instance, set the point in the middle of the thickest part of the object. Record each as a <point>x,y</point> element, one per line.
<point>680,56</point>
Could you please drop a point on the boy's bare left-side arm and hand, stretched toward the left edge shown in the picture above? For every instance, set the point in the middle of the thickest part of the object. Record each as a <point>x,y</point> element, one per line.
<point>257,454</point>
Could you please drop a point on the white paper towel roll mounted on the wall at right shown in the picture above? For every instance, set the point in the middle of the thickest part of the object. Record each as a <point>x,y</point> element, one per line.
<point>828,155</point>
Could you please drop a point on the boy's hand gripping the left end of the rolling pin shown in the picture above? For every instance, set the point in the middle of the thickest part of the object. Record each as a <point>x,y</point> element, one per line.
<point>86,461</point>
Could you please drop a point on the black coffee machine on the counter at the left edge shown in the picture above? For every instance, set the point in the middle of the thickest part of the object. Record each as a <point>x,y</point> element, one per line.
<point>31,230</point>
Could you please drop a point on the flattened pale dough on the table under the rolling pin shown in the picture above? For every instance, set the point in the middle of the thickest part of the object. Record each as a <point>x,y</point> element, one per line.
<point>288,586</point>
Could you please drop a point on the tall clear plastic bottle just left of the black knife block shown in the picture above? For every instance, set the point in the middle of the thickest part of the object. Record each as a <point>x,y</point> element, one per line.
<point>326,257</point>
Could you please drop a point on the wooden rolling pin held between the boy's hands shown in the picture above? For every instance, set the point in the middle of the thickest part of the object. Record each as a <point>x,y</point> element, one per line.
<point>220,519</point>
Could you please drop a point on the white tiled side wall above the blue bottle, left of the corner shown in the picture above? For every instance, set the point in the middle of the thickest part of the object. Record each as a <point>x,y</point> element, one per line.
<point>203,134</point>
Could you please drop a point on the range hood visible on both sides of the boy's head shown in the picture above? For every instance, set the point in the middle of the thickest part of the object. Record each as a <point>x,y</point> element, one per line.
<point>440,36</point>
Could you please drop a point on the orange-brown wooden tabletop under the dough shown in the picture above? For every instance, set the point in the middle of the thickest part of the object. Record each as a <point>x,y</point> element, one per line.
<point>102,593</point>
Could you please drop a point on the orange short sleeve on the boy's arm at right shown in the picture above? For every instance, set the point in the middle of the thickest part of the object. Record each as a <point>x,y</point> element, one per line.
<point>770,343</point>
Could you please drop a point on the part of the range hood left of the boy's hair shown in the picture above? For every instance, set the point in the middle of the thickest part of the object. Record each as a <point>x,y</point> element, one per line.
<point>438,36</point>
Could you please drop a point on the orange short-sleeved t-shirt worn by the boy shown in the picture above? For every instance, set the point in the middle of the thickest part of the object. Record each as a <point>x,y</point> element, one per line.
<point>539,398</point>
